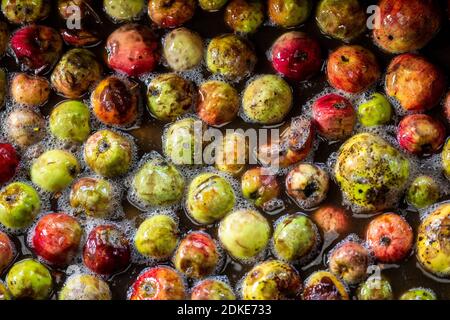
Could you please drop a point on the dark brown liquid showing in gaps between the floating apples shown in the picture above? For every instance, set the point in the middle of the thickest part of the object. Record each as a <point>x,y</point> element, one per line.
<point>403,276</point>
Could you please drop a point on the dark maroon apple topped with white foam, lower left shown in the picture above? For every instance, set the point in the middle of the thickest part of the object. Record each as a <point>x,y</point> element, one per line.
<point>107,250</point>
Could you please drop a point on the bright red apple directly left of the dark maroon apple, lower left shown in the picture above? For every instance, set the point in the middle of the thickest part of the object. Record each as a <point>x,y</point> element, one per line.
<point>56,238</point>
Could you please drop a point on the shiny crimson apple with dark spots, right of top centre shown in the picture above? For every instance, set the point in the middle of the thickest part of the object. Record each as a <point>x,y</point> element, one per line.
<point>296,56</point>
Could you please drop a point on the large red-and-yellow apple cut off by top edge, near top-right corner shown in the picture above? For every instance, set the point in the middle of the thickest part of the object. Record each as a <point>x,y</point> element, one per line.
<point>406,25</point>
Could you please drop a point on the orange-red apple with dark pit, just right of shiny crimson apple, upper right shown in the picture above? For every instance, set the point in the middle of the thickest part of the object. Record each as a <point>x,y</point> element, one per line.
<point>352,69</point>
